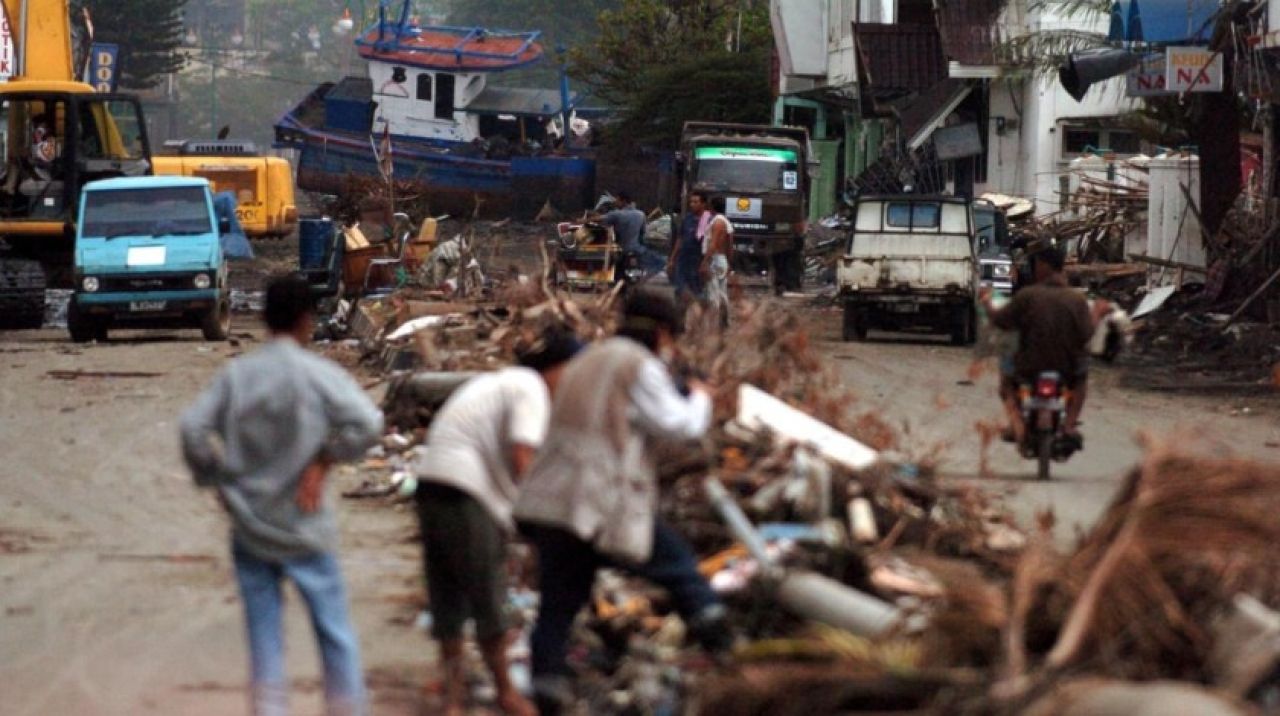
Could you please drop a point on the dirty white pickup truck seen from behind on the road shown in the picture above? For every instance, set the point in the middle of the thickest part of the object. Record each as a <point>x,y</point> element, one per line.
<point>911,264</point>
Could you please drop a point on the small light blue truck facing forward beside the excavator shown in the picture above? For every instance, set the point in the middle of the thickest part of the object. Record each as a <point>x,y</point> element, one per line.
<point>149,256</point>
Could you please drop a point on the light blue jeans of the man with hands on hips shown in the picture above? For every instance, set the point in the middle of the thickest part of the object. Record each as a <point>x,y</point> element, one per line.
<point>319,581</point>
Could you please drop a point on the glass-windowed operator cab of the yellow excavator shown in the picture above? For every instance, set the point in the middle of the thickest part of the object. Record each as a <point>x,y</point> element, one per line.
<point>56,143</point>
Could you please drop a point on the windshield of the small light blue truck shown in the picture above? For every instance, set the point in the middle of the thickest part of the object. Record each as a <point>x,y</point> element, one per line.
<point>150,212</point>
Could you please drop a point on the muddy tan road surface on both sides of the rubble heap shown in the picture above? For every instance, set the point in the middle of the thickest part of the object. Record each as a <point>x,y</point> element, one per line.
<point>116,586</point>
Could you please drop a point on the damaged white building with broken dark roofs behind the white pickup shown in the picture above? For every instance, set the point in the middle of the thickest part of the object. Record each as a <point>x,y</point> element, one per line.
<point>934,97</point>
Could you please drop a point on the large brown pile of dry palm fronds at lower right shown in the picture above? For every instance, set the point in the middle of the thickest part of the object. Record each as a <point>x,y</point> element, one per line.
<point>1141,595</point>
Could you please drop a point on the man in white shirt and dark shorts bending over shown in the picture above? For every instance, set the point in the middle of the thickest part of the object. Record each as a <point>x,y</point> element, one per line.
<point>478,449</point>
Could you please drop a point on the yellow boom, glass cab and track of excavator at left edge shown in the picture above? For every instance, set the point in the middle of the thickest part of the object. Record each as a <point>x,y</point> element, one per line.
<point>56,136</point>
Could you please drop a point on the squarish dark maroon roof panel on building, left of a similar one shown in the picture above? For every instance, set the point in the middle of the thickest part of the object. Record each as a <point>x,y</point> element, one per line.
<point>900,58</point>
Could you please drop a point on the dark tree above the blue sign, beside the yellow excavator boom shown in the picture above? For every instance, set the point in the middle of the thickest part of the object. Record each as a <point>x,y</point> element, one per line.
<point>148,31</point>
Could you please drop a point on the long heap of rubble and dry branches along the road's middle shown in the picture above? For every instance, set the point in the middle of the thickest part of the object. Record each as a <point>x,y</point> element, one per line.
<point>900,591</point>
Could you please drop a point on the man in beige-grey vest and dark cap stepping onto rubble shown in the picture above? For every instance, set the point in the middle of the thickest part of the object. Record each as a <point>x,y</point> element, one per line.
<point>591,499</point>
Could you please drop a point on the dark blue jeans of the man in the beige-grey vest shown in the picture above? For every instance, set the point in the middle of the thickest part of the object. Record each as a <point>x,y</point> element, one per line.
<point>566,571</point>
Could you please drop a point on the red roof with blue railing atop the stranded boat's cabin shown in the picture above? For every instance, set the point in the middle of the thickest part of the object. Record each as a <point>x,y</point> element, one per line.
<point>451,48</point>
